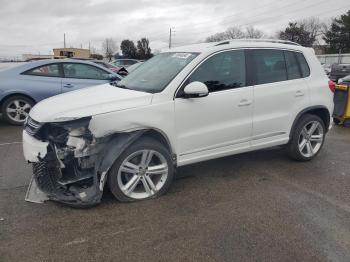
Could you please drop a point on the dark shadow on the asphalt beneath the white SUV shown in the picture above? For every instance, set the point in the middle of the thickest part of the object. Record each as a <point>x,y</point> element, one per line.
<point>224,170</point>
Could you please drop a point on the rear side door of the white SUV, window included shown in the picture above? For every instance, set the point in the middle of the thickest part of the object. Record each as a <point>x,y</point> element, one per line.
<point>280,92</point>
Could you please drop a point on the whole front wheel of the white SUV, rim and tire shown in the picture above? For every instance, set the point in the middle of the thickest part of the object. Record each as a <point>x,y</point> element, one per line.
<point>144,170</point>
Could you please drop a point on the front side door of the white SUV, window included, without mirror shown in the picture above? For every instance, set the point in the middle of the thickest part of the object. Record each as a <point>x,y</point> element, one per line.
<point>223,119</point>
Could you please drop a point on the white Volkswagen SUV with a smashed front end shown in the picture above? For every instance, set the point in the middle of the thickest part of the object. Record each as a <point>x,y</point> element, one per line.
<point>185,105</point>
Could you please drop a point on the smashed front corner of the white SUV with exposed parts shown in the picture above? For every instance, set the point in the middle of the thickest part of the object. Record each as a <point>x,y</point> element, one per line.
<point>71,165</point>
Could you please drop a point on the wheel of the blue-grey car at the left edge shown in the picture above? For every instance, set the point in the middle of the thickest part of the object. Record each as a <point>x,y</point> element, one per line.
<point>15,109</point>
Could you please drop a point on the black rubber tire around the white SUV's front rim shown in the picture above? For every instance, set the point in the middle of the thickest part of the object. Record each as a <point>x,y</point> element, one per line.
<point>142,144</point>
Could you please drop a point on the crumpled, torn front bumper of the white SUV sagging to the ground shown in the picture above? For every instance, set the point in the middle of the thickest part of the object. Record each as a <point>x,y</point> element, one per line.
<point>48,182</point>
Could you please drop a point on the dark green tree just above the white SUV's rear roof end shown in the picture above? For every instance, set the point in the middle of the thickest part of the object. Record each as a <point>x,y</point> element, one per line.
<point>296,32</point>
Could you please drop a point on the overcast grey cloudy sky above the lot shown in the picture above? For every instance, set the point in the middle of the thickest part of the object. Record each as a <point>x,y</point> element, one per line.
<point>37,26</point>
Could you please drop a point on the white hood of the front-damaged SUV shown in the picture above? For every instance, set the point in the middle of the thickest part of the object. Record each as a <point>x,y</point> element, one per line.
<point>88,102</point>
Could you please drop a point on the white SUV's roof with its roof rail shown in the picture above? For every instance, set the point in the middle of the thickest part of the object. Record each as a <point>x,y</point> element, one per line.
<point>237,43</point>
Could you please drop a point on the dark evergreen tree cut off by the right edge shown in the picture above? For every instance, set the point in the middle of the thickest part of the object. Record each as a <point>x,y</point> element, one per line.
<point>338,36</point>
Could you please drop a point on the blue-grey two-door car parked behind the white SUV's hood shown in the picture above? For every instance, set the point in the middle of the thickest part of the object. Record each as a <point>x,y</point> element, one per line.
<point>23,86</point>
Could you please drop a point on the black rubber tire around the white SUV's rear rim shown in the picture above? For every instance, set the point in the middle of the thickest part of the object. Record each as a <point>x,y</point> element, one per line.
<point>292,147</point>
